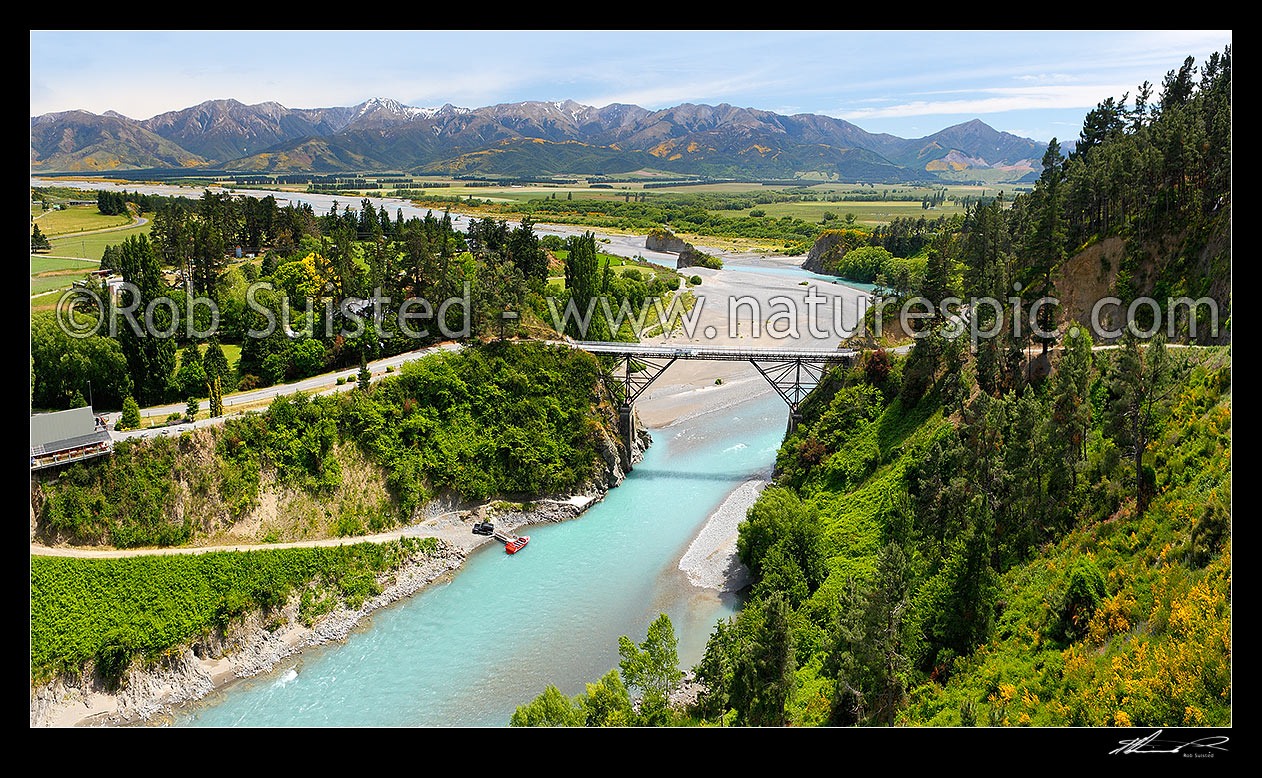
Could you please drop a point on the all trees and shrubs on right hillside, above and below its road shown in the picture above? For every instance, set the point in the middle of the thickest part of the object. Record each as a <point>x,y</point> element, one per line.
<point>964,537</point>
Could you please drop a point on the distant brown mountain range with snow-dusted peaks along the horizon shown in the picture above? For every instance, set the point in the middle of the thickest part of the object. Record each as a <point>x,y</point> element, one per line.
<point>516,140</point>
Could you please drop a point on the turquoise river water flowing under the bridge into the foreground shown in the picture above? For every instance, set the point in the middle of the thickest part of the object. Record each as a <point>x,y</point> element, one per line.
<point>469,651</point>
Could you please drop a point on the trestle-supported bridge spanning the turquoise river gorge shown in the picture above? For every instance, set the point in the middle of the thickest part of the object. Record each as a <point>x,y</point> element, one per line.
<point>793,373</point>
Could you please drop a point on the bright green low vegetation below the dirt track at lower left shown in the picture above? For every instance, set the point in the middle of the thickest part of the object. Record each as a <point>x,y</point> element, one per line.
<point>105,614</point>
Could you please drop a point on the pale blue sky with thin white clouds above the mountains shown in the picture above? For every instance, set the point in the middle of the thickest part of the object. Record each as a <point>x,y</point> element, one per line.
<point>1037,85</point>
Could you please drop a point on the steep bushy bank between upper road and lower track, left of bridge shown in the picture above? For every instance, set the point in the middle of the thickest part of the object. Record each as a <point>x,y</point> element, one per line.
<point>499,420</point>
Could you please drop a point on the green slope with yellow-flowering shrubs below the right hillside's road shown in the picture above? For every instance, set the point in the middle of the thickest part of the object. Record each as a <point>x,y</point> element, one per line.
<point>971,559</point>
